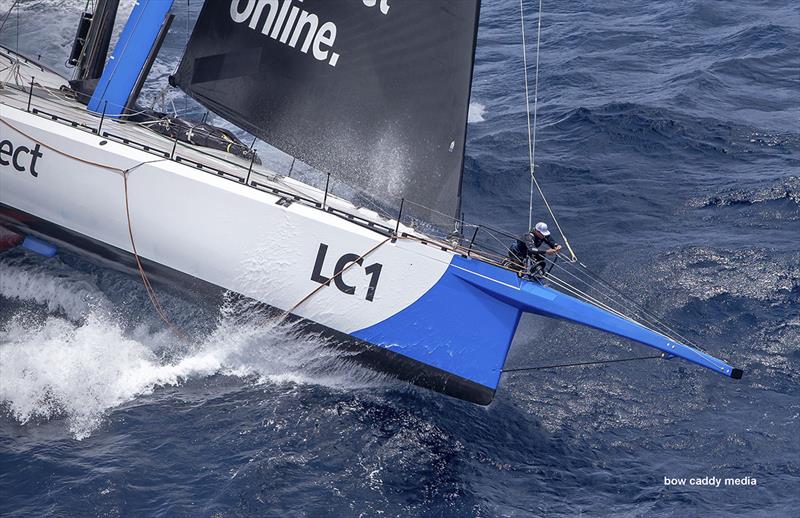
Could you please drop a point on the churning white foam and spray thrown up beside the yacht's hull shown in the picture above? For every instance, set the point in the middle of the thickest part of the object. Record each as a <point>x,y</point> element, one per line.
<point>81,369</point>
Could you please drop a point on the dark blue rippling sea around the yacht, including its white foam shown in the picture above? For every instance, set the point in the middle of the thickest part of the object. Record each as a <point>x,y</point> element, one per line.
<point>669,146</point>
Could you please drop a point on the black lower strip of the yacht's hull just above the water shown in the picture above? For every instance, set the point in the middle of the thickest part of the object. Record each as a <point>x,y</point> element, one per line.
<point>358,351</point>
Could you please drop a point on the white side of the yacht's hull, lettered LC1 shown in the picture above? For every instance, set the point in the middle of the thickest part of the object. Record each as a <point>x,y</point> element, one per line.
<point>219,231</point>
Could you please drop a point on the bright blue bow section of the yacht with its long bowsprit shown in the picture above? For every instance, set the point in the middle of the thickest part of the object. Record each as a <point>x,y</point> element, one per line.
<point>465,323</point>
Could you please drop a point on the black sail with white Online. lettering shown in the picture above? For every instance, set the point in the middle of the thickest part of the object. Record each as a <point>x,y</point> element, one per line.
<point>372,91</point>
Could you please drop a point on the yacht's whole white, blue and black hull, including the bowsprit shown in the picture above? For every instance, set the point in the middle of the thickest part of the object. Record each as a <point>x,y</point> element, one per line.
<point>411,306</point>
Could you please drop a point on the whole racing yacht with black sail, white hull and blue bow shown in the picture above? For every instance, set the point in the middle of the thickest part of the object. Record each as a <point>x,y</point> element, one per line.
<point>373,92</point>
